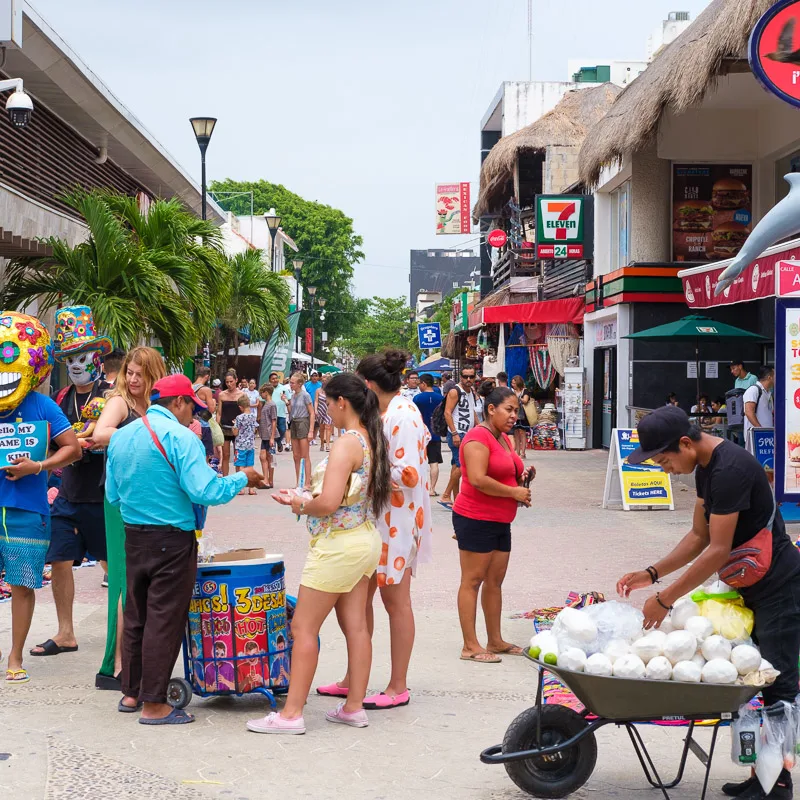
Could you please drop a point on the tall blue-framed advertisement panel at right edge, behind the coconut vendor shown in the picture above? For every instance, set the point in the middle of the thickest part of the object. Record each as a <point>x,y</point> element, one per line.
<point>787,400</point>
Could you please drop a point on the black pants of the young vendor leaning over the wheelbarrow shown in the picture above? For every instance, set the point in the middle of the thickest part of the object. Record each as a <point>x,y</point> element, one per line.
<point>777,634</point>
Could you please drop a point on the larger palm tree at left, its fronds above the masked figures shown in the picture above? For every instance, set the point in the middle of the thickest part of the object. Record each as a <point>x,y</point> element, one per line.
<point>160,276</point>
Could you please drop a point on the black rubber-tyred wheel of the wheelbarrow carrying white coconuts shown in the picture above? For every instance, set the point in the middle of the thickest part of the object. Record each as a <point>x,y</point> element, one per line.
<point>556,775</point>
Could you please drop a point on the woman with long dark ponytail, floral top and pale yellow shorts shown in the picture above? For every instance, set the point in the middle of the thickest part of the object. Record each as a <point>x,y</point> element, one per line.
<point>351,487</point>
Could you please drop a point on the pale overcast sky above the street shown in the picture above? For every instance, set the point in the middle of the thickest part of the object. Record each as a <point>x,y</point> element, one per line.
<point>360,104</point>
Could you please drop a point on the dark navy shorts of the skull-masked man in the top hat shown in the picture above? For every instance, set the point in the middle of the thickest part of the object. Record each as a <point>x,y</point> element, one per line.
<point>76,528</point>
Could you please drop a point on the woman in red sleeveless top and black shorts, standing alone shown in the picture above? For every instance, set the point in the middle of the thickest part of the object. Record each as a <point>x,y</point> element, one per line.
<point>493,482</point>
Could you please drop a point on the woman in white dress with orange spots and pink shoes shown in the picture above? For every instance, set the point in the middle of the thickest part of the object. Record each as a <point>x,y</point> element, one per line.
<point>405,525</point>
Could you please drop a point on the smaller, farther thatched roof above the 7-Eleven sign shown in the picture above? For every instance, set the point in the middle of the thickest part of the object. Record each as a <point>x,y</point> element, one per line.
<point>566,125</point>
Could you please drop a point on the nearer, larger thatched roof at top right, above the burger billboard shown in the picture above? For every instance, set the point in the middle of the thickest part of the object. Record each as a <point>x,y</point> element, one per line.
<point>677,80</point>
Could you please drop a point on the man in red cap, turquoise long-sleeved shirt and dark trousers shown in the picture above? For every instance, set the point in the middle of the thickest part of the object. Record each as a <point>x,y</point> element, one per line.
<point>157,474</point>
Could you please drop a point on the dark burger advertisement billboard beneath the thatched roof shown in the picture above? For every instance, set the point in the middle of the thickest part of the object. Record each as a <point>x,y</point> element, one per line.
<point>711,210</point>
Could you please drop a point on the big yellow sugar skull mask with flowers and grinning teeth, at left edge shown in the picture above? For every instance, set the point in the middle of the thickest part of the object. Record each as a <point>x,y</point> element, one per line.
<point>26,357</point>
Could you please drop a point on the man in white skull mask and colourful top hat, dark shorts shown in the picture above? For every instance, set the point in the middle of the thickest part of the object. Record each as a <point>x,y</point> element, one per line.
<point>77,517</point>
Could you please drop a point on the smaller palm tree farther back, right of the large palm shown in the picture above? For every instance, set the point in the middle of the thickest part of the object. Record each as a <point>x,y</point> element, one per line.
<point>259,301</point>
